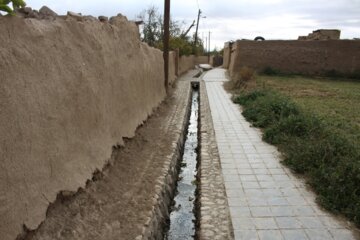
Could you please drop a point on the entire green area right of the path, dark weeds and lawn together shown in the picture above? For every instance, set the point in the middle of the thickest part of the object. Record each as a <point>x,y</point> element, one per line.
<point>315,124</point>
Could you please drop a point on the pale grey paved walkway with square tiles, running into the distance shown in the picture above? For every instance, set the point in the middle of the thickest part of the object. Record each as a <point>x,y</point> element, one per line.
<point>266,200</point>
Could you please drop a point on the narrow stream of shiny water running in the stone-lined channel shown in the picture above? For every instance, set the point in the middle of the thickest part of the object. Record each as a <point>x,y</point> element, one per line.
<point>182,217</point>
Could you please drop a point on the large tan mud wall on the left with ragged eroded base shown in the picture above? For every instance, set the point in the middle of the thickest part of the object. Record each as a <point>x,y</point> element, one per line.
<point>69,91</point>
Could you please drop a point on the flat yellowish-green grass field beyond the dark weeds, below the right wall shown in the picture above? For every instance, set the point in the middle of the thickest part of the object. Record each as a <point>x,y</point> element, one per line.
<point>335,102</point>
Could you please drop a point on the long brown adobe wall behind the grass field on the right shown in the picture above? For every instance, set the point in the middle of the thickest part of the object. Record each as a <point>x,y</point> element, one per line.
<point>305,57</point>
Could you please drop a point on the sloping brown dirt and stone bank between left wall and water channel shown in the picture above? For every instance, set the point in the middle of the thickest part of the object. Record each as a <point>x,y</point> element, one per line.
<point>114,205</point>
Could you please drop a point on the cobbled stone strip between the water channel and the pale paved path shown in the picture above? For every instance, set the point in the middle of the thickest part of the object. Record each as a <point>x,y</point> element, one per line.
<point>214,215</point>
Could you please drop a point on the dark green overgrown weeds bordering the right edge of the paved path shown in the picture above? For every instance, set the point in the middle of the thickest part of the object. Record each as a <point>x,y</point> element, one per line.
<point>329,159</point>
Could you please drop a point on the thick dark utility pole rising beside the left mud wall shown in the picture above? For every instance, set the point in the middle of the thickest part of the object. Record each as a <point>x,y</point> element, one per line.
<point>166,41</point>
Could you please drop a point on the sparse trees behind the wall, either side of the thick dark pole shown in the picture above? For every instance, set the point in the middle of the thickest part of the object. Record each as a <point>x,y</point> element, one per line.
<point>152,32</point>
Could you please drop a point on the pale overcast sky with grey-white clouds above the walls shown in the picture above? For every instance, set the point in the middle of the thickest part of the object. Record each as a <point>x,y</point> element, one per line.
<point>234,19</point>
